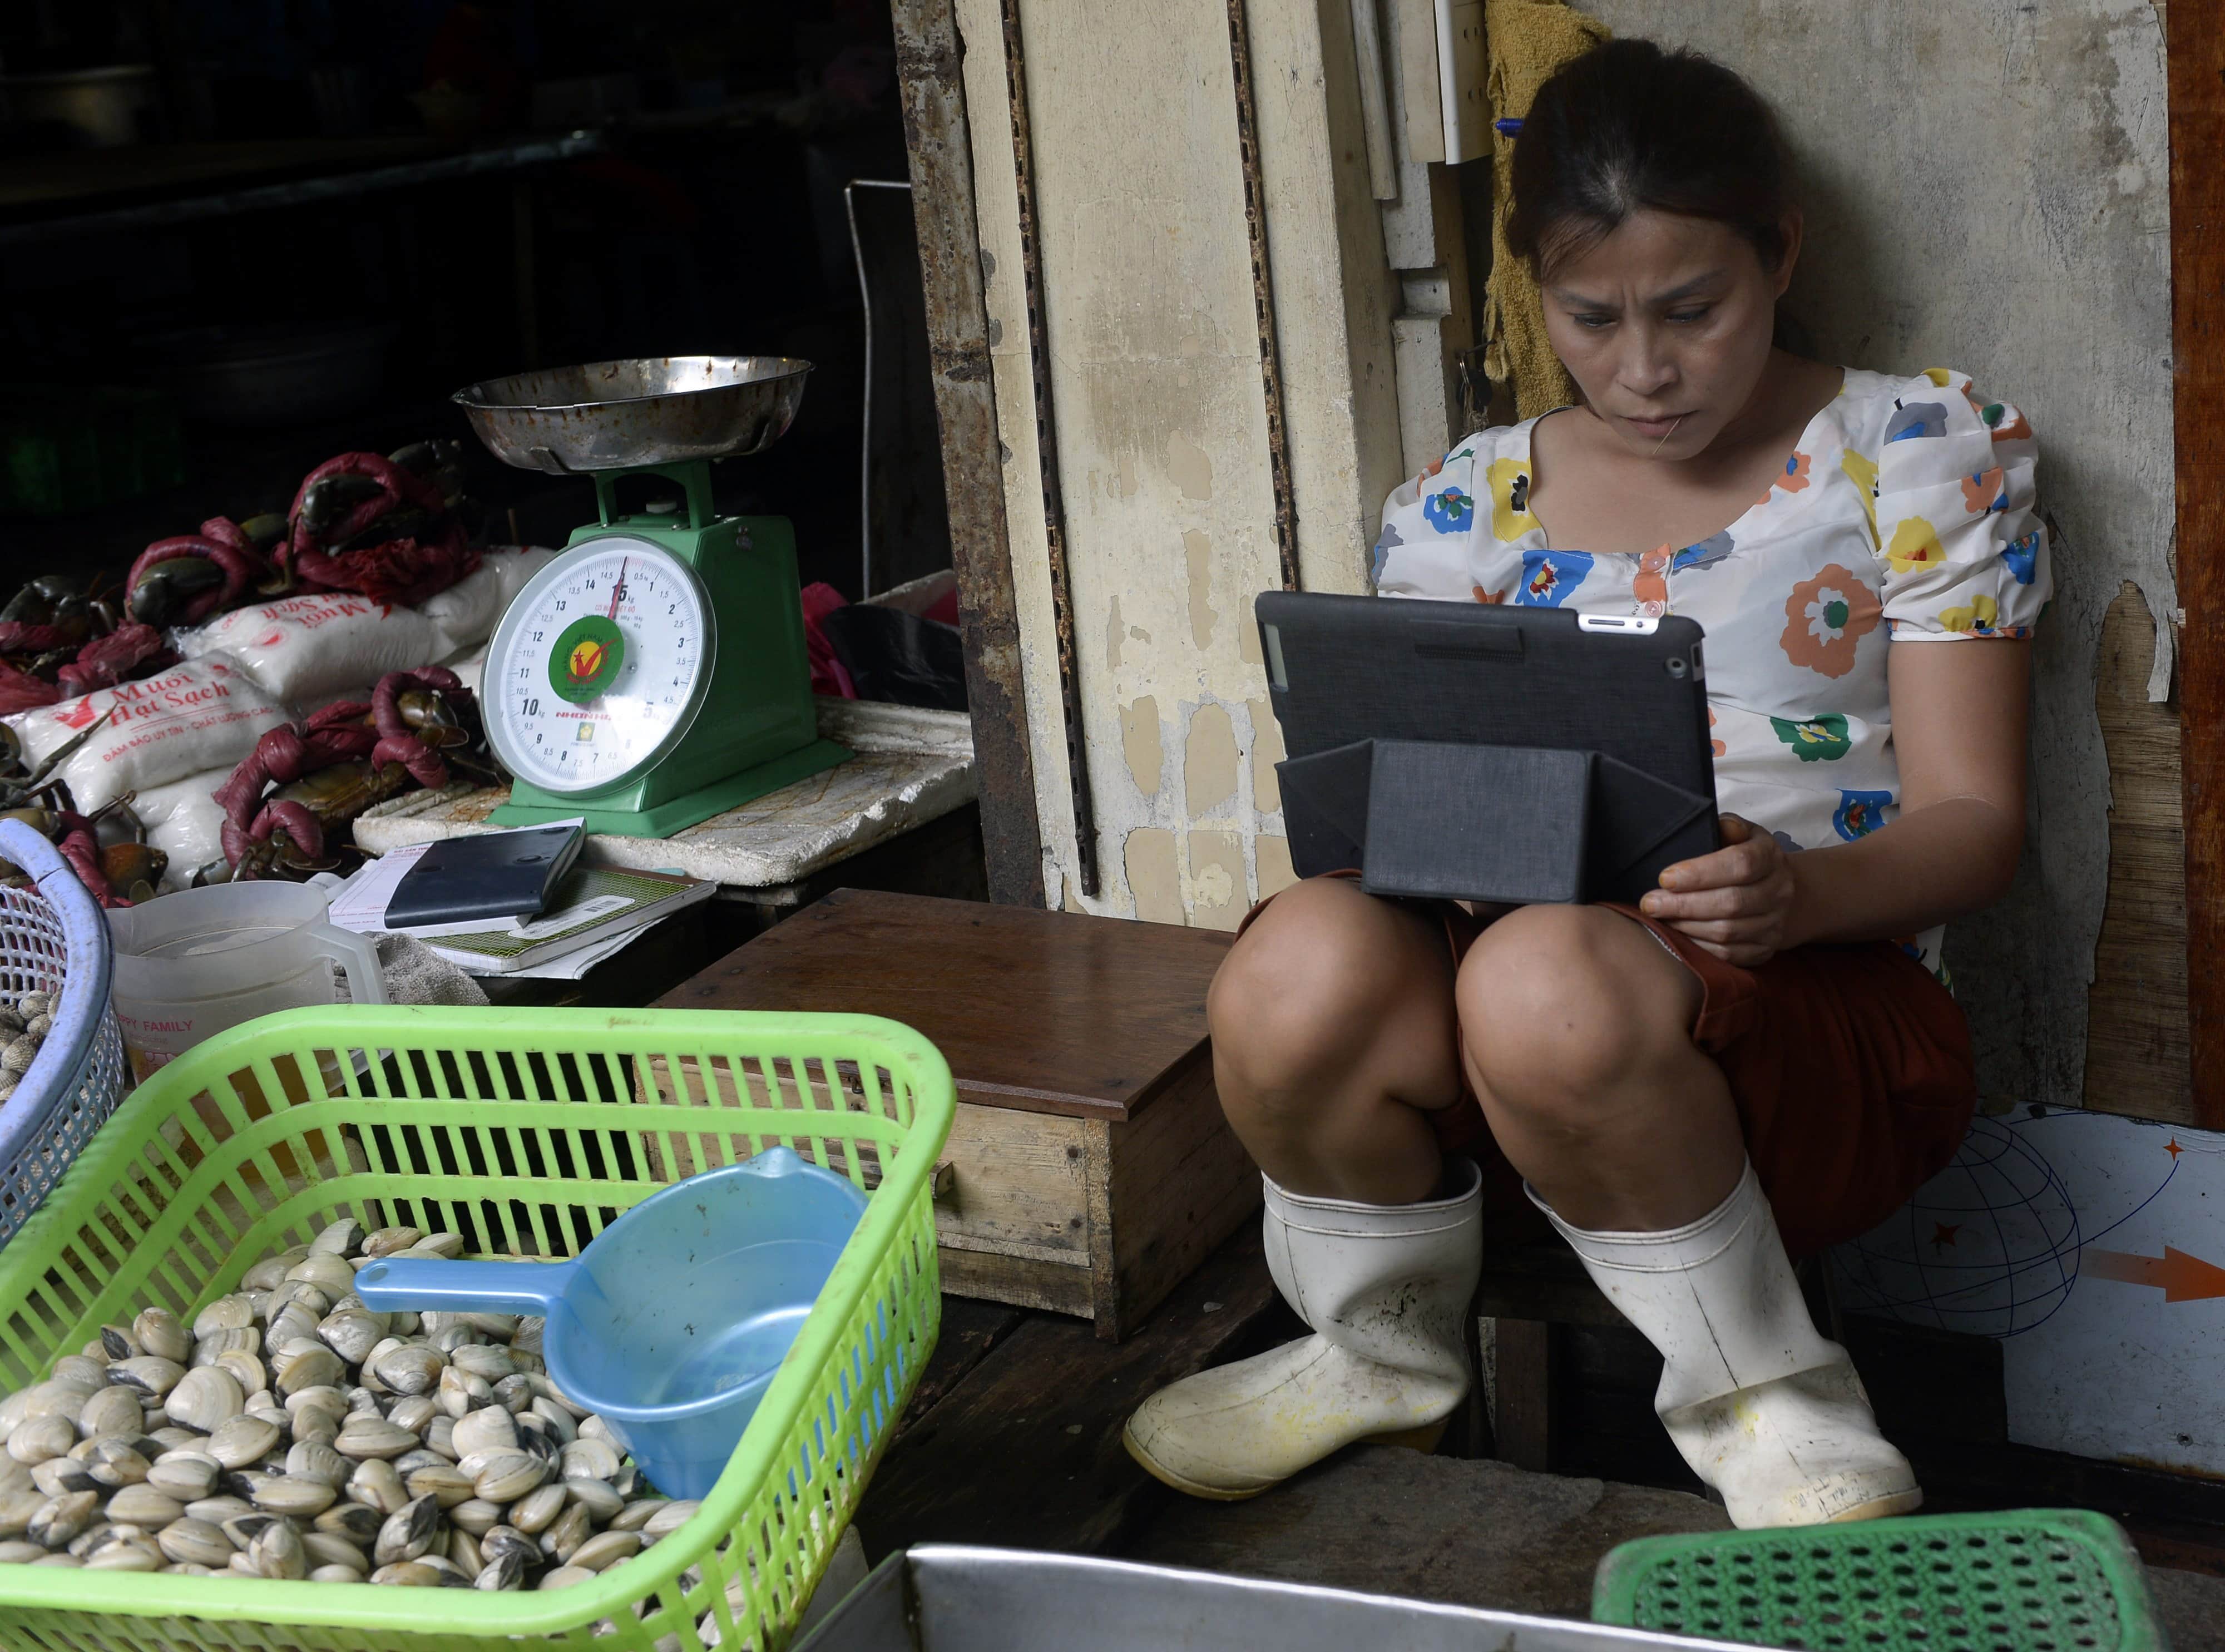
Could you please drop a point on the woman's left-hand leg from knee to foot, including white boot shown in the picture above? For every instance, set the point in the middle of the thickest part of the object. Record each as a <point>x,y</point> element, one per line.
<point>1332,1043</point>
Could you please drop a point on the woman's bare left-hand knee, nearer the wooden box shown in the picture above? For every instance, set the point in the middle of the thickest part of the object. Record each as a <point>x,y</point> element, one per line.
<point>1312,985</point>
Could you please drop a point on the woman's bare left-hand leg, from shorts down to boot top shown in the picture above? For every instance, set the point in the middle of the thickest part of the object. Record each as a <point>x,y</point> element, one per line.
<point>1334,1039</point>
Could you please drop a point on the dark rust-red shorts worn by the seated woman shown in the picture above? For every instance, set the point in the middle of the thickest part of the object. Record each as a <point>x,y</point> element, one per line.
<point>1850,1068</point>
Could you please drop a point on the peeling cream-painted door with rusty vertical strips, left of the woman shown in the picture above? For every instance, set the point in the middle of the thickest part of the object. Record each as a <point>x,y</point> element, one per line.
<point>1214,351</point>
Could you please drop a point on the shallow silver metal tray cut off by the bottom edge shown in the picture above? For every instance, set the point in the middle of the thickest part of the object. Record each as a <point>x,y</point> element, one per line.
<point>962,1600</point>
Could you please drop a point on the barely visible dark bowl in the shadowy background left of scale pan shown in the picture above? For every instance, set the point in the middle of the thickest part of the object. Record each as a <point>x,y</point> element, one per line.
<point>275,373</point>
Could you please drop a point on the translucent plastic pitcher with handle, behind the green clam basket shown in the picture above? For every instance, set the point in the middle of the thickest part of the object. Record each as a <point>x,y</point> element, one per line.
<point>201,961</point>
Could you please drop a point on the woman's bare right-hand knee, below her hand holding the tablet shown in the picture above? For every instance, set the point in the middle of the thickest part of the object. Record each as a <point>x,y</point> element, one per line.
<point>1563,1005</point>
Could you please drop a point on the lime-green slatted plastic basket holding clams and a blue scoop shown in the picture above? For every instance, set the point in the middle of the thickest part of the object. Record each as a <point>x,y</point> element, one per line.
<point>528,1132</point>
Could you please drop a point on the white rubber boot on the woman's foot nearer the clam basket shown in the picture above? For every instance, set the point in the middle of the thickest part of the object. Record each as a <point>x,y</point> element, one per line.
<point>1385,1290</point>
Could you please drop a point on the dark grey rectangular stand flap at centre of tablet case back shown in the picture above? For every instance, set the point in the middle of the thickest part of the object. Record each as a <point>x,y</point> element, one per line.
<point>1476,823</point>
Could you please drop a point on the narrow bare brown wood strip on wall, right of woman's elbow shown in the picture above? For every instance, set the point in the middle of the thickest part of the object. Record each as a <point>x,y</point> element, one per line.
<point>2137,1010</point>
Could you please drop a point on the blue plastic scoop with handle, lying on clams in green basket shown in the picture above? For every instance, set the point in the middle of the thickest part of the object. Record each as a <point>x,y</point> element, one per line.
<point>678,1317</point>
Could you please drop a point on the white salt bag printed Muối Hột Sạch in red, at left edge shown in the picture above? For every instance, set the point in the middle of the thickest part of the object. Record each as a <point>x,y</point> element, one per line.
<point>206,714</point>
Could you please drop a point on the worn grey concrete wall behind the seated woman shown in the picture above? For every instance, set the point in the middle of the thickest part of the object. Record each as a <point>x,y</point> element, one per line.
<point>1988,190</point>
